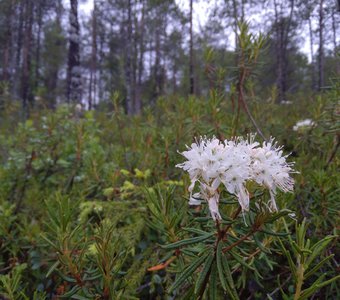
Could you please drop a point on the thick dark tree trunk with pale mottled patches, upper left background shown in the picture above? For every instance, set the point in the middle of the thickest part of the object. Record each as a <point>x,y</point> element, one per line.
<point>73,66</point>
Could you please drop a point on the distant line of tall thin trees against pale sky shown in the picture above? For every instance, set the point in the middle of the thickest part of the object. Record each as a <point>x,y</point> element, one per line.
<point>148,48</point>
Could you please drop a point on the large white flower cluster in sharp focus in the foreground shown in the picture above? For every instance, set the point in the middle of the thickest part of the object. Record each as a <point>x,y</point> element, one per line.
<point>211,163</point>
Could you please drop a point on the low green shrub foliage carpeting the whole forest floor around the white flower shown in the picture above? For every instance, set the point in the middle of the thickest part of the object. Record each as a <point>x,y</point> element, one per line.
<point>92,205</point>
